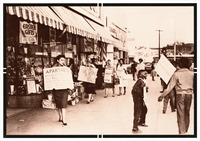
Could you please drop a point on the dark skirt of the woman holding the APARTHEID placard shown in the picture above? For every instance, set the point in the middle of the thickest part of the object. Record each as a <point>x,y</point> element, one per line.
<point>61,98</point>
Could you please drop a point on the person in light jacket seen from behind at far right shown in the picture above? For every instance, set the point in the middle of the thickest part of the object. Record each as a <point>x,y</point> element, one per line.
<point>183,82</point>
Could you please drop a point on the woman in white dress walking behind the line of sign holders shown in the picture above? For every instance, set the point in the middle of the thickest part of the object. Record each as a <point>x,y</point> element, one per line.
<point>122,73</point>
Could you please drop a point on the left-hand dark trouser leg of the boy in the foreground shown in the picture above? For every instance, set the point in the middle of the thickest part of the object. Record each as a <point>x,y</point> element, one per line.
<point>137,111</point>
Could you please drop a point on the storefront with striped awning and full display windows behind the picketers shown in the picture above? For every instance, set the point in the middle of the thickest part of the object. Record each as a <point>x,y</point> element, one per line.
<point>34,37</point>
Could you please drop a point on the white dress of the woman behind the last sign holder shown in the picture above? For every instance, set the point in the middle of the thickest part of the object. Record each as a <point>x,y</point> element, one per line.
<point>122,76</point>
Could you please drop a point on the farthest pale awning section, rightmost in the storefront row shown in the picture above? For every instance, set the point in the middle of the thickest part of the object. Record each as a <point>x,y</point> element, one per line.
<point>105,35</point>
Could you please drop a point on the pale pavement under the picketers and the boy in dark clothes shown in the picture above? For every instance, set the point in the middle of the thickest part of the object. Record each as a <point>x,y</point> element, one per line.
<point>111,115</point>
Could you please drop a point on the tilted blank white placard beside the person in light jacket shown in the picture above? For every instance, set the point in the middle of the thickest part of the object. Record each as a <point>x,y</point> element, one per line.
<point>165,69</point>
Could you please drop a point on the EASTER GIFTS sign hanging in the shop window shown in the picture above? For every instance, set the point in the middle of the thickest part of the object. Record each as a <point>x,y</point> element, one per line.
<point>28,33</point>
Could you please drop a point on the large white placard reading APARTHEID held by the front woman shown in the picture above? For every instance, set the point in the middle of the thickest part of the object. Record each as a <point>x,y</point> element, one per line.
<point>58,78</point>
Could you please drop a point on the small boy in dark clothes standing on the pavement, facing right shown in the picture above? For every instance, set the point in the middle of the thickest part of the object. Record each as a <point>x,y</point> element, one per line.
<point>140,109</point>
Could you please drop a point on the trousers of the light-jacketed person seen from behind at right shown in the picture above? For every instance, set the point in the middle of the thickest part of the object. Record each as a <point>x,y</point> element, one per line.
<point>183,111</point>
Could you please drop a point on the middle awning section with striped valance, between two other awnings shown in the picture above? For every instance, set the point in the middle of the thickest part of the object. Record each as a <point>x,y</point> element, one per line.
<point>76,24</point>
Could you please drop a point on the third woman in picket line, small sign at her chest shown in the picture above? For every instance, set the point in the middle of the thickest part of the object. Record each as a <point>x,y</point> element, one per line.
<point>108,78</point>
